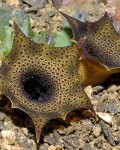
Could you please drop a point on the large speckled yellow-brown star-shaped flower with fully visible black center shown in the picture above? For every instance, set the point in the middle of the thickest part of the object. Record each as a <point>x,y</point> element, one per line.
<point>41,80</point>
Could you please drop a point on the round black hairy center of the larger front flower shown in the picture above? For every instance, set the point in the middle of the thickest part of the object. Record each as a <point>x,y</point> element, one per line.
<point>37,86</point>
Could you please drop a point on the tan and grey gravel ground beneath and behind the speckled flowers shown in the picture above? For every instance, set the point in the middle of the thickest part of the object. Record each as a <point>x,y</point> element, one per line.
<point>84,132</point>
